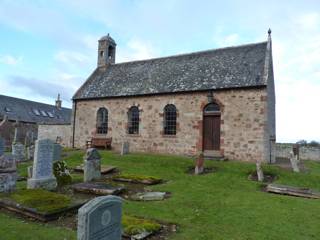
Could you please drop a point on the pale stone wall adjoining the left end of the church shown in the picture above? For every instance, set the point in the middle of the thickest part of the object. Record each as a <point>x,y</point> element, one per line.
<point>63,131</point>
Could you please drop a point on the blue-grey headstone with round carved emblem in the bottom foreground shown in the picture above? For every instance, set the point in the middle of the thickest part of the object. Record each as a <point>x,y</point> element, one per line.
<point>100,219</point>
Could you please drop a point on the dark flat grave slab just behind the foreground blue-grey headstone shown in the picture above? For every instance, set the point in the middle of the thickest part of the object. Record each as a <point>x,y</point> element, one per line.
<point>97,188</point>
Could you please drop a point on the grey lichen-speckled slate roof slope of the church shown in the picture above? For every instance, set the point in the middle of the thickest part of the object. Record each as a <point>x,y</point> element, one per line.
<point>231,67</point>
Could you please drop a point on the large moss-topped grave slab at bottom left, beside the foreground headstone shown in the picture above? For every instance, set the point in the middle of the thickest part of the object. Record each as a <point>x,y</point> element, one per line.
<point>39,204</point>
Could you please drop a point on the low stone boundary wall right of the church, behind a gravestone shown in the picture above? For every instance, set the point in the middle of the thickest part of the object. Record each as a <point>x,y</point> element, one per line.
<point>306,153</point>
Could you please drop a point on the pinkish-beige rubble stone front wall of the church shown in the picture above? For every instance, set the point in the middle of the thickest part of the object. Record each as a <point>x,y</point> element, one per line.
<point>244,127</point>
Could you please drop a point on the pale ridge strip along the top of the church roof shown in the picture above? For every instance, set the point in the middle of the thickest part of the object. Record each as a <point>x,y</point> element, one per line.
<point>191,53</point>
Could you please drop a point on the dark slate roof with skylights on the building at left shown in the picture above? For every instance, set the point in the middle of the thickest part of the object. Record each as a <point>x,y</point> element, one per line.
<point>33,112</point>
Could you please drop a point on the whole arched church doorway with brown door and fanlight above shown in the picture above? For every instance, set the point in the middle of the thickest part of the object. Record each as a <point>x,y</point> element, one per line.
<point>211,127</point>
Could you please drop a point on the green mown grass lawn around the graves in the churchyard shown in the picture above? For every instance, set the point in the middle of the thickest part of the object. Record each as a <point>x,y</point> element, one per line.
<point>220,205</point>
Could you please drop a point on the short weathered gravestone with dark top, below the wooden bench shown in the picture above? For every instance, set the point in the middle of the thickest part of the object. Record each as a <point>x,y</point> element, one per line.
<point>92,165</point>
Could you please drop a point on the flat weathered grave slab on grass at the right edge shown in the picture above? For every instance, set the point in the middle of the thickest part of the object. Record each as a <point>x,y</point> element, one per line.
<point>292,191</point>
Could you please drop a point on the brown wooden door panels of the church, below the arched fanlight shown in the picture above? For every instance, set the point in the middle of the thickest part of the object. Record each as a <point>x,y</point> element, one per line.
<point>211,132</point>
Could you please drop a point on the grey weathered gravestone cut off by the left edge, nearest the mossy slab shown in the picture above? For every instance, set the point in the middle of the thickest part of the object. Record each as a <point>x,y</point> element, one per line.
<point>8,173</point>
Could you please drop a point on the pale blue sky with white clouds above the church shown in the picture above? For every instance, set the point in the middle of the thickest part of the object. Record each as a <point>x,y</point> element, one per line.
<point>50,47</point>
